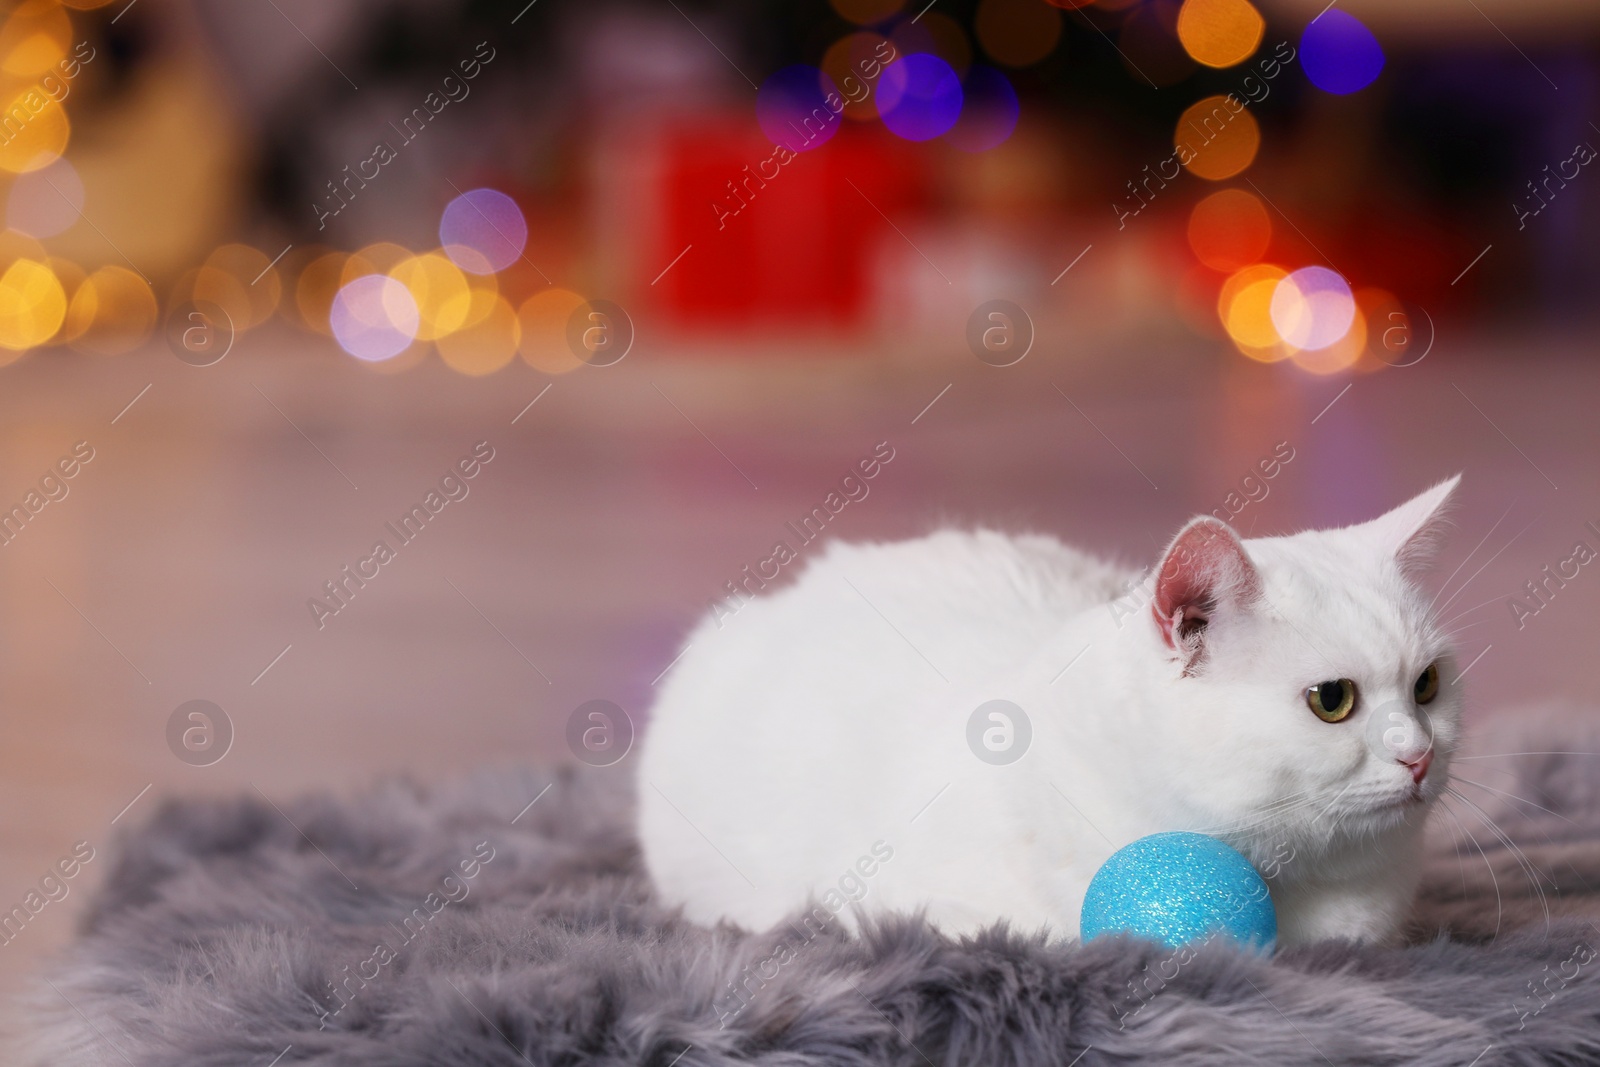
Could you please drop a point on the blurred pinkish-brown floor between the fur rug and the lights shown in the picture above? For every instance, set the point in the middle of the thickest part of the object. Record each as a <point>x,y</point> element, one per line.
<point>182,561</point>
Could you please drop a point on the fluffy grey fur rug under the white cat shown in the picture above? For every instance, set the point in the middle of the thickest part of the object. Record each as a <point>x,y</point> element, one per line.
<point>458,925</point>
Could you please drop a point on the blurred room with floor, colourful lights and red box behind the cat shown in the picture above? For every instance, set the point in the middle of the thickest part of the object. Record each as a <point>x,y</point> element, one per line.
<point>278,274</point>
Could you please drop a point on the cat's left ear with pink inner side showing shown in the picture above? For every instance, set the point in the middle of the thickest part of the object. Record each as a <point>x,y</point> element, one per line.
<point>1202,575</point>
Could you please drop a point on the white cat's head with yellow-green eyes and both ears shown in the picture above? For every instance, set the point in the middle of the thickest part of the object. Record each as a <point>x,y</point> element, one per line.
<point>1310,687</point>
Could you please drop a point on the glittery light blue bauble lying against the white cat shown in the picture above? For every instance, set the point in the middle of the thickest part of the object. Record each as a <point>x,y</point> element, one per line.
<point>1177,889</point>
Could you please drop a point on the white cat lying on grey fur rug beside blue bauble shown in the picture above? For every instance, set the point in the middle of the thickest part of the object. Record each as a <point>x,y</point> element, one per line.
<point>1289,695</point>
